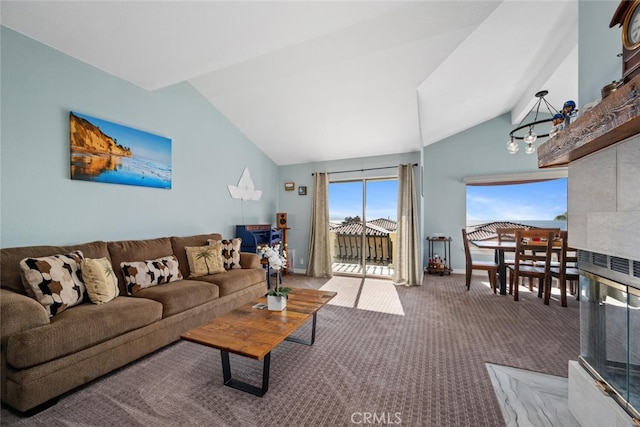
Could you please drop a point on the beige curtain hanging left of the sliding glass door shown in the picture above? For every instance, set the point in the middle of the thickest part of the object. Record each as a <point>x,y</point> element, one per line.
<point>319,264</point>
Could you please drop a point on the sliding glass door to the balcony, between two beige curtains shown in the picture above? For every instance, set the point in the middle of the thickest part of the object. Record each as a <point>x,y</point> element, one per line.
<point>363,226</point>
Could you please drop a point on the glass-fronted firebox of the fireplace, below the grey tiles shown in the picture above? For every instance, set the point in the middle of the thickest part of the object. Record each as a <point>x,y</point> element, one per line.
<point>610,326</point>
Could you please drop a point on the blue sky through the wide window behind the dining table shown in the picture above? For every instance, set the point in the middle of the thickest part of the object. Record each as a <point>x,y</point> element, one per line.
<point>532,201</point>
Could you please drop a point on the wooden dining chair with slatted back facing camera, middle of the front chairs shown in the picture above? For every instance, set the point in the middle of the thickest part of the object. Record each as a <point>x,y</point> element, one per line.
<point>532,260</point>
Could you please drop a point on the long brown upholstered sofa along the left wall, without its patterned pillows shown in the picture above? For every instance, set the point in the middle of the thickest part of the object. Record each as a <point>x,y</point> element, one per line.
<point>43,357</point>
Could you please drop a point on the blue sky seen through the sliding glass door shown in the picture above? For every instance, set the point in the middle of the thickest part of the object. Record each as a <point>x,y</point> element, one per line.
<point>345,199</point>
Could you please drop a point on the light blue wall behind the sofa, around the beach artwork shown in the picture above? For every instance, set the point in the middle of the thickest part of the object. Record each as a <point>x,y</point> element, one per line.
<point>40,204</point>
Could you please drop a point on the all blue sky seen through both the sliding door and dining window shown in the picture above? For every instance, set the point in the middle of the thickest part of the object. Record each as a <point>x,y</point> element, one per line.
<point>517,202</point>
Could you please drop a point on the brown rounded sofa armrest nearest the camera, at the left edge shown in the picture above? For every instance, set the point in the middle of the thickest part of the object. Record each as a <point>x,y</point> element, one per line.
<point>19,313</point>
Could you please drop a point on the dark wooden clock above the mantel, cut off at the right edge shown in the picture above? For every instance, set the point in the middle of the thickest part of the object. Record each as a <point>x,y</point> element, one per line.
<point>627,15</point>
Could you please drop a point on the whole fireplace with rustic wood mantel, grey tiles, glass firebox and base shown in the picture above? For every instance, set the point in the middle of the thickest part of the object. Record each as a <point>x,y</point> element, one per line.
<point>602,152</point>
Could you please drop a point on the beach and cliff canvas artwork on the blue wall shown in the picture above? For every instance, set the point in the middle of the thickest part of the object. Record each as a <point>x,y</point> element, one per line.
<point>102,151</point>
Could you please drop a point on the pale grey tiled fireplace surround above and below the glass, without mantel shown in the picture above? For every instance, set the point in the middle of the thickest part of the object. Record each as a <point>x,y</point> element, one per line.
<point>604,218</point>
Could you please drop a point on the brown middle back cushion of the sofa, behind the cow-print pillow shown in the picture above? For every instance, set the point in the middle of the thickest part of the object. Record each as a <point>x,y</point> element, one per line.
<point>136,250</point>
